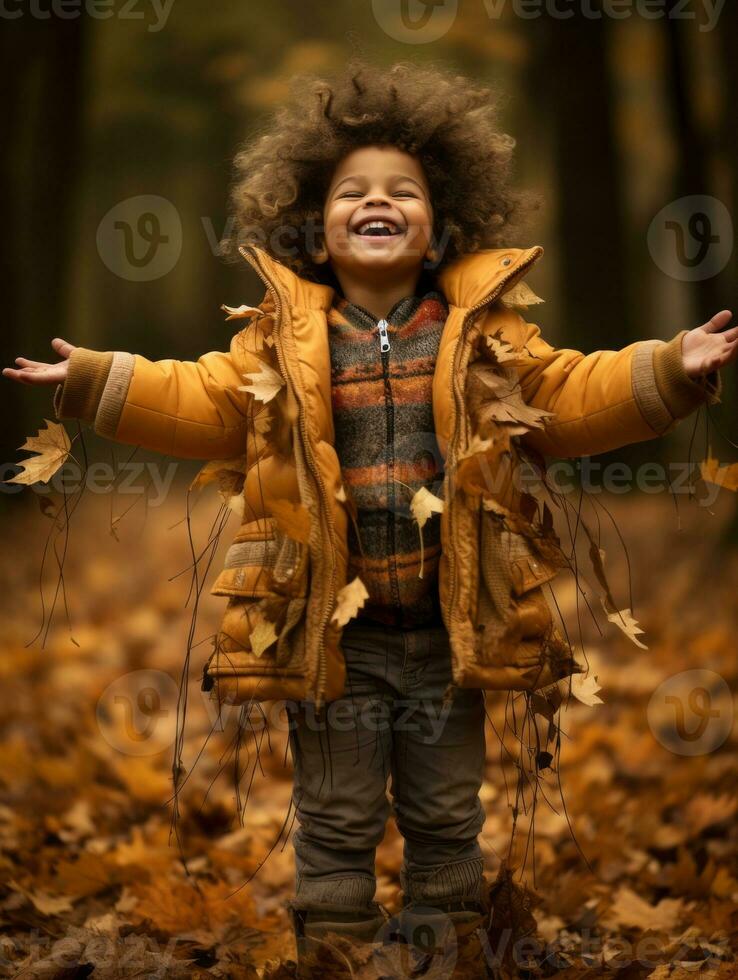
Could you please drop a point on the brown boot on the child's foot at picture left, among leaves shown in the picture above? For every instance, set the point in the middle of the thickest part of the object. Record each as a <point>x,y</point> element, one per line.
<point>319,928</point>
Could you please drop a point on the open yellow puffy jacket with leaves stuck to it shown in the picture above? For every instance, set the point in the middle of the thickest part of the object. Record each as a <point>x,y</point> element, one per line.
<point>501,396</point>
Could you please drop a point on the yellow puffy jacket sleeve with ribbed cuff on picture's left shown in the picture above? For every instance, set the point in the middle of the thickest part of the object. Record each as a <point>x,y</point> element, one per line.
<point>187,409</point>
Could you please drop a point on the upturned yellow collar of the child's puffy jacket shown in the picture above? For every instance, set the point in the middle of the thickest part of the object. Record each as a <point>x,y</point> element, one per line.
<point>466,282</point>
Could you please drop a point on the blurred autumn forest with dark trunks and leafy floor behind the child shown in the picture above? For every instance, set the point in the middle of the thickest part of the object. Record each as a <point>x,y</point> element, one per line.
<point>615,121</point>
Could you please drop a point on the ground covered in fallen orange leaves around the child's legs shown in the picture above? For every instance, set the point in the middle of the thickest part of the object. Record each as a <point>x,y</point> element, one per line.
<point>634,847</point>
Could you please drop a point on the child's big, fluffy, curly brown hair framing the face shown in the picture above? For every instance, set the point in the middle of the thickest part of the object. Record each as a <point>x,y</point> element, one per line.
<point>448,122</point>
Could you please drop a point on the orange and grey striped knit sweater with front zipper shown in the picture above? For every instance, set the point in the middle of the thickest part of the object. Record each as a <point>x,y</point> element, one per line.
<point>385,437</point>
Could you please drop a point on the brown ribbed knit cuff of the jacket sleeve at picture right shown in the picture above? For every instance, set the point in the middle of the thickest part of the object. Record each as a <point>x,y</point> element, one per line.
<point>662,388</point>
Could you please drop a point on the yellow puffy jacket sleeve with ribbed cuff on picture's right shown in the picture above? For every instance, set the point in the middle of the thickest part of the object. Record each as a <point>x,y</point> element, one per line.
<point>608,398</point>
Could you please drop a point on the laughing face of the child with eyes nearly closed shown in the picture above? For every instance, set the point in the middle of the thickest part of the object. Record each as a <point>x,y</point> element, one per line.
<point>377,183</point>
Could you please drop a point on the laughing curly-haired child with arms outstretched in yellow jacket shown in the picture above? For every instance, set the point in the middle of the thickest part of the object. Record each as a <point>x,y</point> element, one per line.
<point>387,366</point>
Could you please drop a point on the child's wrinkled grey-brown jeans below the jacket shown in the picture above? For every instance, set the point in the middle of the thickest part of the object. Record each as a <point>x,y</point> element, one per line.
<point>392,721</point>
